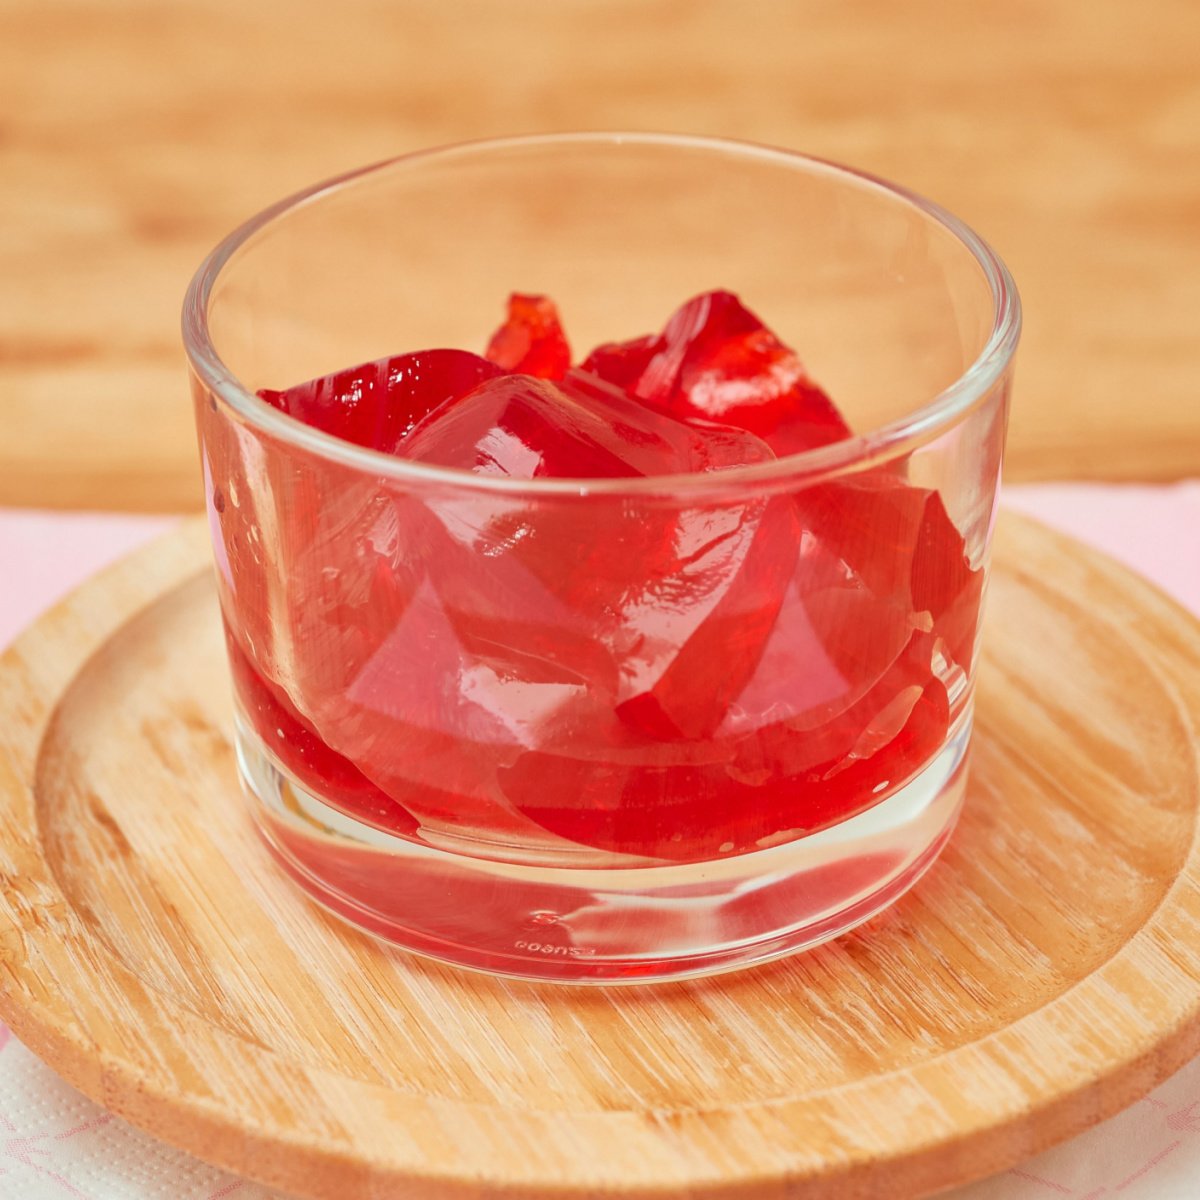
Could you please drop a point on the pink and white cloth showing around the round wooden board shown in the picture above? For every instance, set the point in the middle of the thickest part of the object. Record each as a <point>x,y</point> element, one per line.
<point>57,1144</point>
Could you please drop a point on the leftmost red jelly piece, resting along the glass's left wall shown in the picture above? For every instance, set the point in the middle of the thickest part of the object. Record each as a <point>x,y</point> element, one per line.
<point>314,566</point>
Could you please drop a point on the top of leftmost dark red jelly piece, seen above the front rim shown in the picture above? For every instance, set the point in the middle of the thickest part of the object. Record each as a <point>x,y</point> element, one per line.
<point>377,404</point>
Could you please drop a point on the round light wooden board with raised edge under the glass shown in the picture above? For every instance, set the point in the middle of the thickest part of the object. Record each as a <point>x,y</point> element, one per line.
<point>1045,975</point>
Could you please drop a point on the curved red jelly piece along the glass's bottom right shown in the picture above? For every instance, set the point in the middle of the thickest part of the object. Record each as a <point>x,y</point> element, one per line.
<point>697,802</point>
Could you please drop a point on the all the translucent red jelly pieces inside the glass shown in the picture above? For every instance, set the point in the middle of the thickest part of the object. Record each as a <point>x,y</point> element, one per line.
<point>659,679</point>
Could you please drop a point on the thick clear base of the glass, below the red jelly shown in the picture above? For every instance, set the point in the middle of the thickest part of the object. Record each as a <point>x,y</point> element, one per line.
<point>608,926</point>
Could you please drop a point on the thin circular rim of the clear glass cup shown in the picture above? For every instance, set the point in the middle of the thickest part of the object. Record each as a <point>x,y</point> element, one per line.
<point>857,452</point>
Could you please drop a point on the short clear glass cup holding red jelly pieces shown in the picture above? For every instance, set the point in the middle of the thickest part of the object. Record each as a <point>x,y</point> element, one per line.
<point>625,729</point>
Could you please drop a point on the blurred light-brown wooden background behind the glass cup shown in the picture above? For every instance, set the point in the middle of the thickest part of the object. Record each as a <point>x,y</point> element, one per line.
<point>135,134</point>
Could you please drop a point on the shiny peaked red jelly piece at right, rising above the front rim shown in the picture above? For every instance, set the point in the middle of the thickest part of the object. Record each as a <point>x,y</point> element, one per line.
<point>717,362</point>
